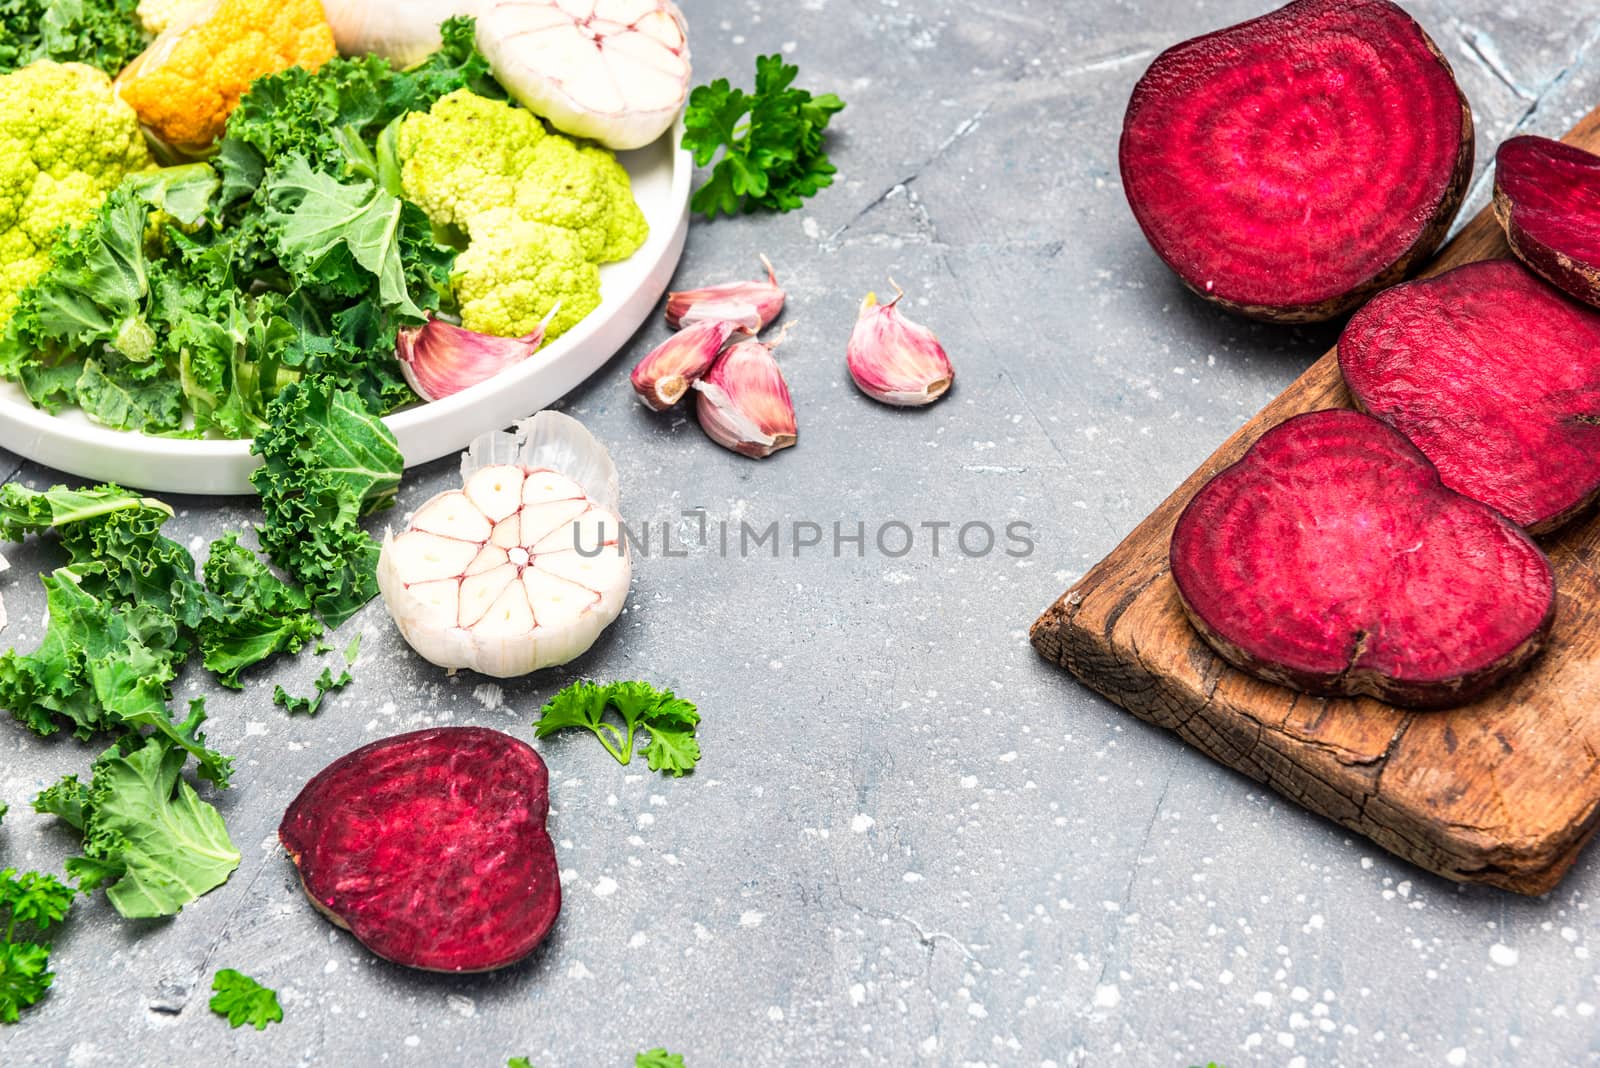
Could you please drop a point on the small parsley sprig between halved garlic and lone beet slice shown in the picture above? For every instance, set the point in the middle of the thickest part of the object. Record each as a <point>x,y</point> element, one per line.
<point>670,720</point>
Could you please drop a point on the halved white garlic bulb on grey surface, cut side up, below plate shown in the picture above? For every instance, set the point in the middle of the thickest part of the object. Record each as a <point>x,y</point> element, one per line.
<point>521,568</point>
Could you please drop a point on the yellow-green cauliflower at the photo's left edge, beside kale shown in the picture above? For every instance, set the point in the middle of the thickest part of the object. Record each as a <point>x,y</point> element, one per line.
<point>66,141</point>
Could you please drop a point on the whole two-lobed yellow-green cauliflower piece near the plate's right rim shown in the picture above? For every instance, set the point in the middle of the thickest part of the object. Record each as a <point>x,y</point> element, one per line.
<point>540,210</point>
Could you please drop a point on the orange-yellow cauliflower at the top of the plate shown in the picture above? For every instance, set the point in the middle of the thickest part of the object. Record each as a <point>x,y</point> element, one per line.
<point>191,78</point>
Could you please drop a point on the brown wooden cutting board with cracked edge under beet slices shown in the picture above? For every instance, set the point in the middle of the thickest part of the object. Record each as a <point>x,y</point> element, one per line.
<point>1503,792</point>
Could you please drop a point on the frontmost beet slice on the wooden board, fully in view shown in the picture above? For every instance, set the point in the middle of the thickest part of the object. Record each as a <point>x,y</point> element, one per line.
<point>1332,559</point>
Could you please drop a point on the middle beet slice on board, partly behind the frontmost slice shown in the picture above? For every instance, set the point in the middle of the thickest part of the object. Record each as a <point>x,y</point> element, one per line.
<point>1495,377</point>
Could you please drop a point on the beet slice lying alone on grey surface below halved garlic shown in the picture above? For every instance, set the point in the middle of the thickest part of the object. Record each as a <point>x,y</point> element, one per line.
<point>431,848</point>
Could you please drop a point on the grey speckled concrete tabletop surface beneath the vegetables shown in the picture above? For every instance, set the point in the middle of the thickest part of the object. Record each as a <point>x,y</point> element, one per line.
<point>910,842</point>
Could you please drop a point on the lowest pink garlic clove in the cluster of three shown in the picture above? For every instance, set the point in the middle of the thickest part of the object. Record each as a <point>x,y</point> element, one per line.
<point>745,404</point>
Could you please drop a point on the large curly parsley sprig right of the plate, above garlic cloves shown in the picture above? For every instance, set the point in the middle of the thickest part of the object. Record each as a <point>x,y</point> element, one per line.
<point>770,141</point>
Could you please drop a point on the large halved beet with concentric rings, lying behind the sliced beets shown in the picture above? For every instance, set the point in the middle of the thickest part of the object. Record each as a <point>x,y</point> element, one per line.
<point>1290,165</point>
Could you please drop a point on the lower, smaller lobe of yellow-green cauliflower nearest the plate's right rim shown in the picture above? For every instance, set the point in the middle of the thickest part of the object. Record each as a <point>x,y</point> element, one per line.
<point>516,271</point>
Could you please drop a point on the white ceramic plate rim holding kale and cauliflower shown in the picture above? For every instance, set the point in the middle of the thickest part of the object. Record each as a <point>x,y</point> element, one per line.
<point>630,292</point>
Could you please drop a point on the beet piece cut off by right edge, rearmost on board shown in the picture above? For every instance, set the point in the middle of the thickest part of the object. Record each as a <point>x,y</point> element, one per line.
<point>1548,197</point>
